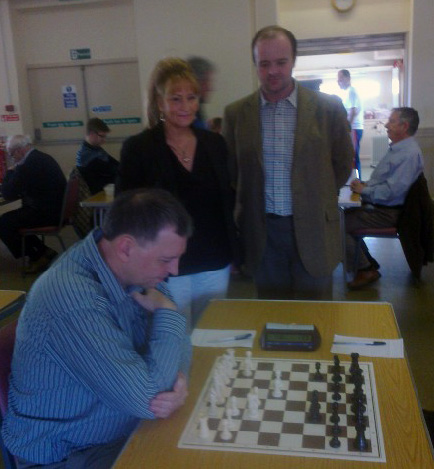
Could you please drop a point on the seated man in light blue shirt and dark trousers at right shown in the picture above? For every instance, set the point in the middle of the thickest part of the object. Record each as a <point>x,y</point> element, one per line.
<point>384,194</point>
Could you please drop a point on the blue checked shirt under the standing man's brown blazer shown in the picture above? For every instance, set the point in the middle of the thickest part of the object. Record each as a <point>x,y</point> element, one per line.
<point>278,123</point>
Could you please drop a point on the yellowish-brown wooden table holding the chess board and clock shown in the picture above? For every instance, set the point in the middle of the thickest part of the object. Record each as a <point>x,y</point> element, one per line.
<point>406,442</point>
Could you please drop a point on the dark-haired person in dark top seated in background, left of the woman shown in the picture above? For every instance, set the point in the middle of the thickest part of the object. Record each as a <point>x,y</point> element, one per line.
<point>96,166</point>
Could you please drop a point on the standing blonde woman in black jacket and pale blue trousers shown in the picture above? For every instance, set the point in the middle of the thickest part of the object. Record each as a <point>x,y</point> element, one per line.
<point>191,164</point>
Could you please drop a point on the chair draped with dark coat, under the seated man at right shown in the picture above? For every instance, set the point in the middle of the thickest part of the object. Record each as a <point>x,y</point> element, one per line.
<point>415,228</point>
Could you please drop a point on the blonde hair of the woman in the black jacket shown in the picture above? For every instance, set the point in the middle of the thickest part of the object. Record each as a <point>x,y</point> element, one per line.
<point>167,72</point>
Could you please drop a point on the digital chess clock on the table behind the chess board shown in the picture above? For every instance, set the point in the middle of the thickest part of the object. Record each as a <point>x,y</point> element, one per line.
<point>292,337</point>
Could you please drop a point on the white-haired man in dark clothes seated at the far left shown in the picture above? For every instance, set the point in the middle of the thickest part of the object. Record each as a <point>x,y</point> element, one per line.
<point>38,180</point>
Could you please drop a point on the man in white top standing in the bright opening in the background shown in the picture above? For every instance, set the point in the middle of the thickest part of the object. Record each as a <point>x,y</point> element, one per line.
<point>355,115</point>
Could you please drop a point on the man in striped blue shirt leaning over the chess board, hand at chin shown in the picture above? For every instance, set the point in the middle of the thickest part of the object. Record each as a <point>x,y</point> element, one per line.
<point>99,346</point>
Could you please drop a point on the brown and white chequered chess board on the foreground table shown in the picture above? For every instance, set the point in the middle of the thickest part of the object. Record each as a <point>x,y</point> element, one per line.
<point>283,425</point>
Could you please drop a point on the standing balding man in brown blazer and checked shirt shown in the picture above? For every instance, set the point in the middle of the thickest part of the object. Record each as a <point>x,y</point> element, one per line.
<point>290,152</point>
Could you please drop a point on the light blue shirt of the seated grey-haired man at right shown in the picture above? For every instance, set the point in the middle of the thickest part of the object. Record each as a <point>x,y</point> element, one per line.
<point>396,172</point>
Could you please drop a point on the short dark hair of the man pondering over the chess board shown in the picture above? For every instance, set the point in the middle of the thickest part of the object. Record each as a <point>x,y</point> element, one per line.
<point>143,213</point>
